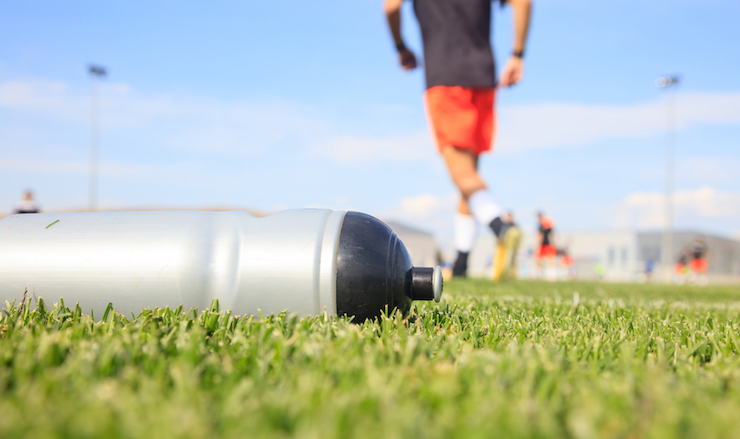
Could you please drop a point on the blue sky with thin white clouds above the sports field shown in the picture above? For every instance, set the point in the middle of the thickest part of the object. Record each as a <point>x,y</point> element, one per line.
<point>272,105</point>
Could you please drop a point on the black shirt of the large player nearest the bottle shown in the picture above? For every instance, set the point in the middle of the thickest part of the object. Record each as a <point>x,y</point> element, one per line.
<point>457,46</point>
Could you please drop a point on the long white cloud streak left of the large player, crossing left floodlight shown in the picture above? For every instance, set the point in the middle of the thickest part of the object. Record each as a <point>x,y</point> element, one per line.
<point>207,125</point>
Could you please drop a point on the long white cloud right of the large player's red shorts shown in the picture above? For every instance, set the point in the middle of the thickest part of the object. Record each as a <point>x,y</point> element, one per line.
<point>562,124</point>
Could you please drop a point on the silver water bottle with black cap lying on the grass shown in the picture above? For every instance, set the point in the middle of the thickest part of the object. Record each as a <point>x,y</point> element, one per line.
<point>304,261</point>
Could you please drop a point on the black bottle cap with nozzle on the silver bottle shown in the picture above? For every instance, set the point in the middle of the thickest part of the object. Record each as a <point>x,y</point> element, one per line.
<point>374,271</point>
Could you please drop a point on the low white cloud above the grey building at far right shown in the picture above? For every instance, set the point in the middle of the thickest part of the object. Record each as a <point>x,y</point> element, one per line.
<point>646,210</point>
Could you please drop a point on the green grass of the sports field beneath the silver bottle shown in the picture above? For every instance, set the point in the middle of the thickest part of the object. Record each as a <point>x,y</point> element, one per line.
<point>523,359</point>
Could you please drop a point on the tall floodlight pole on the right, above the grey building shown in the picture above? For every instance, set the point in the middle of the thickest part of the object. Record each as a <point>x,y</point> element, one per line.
<point>669,83</point>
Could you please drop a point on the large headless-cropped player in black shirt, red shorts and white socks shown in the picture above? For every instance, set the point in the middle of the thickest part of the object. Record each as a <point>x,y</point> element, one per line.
<point>460,94</point>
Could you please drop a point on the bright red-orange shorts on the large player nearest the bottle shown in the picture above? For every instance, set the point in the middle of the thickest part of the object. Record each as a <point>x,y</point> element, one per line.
<point>461,117</point>
